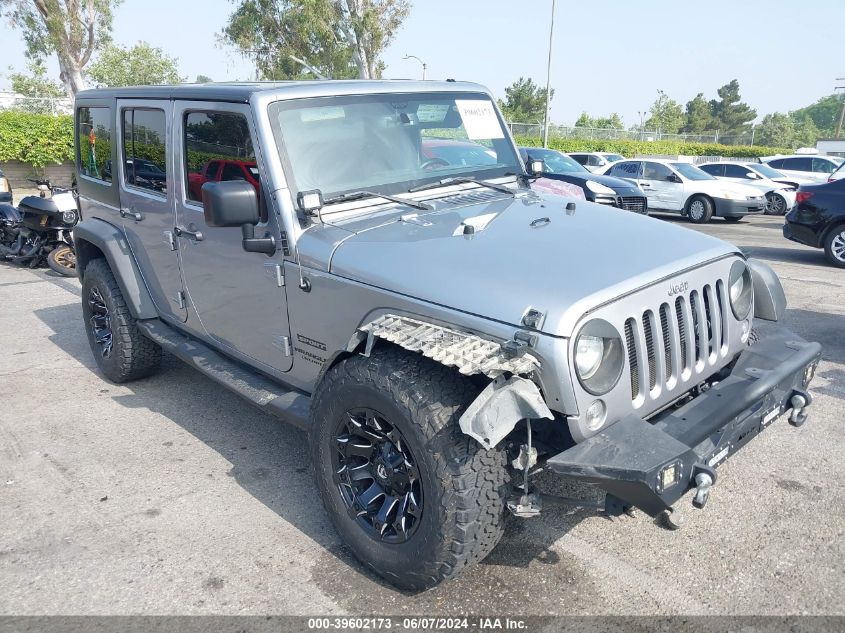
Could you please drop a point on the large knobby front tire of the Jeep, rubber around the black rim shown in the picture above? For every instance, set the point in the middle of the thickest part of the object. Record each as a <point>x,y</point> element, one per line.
<point>464,486</point>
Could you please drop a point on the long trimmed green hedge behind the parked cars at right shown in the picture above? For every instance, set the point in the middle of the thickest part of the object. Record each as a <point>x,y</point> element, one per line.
<point>634,148</point>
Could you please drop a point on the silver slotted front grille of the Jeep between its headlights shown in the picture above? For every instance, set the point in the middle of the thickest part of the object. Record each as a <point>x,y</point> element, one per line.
<point>679,342</point>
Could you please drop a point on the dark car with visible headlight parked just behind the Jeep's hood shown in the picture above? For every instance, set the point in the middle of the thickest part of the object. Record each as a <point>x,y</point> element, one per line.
<point>602,189</point>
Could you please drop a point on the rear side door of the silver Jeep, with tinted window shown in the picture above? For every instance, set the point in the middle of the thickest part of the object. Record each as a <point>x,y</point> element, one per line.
<point>146,199</point>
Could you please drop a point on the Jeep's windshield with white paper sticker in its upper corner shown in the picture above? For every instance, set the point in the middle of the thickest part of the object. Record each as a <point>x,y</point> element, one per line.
<point>390,143</point>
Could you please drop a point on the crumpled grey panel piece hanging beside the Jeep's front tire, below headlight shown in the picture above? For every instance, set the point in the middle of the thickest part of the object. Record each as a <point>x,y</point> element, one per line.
<point>497,409</point>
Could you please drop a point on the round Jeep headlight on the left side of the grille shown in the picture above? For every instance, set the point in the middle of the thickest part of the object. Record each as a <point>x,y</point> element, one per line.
<point>598,356</point>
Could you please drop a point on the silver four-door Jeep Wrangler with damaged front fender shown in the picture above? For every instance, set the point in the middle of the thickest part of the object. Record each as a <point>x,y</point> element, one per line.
<point>368,261</point>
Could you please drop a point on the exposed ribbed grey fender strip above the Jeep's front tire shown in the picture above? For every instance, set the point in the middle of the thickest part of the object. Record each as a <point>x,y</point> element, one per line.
<point>470,354</point>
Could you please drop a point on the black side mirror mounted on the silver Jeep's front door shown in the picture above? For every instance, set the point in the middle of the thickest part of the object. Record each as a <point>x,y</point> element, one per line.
<point>235,203</point>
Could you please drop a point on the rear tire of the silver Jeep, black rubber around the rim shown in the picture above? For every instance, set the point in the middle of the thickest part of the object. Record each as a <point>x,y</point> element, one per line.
<point>133,355</point>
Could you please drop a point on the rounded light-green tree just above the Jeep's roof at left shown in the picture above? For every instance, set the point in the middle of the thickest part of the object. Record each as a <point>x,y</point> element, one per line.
<point>141,65</point>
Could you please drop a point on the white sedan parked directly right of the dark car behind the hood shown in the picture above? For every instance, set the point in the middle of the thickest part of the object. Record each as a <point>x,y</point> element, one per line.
<point>684,188</point>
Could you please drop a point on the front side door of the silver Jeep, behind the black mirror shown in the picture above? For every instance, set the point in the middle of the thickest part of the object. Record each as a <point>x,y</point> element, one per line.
<point>239,297</point>
